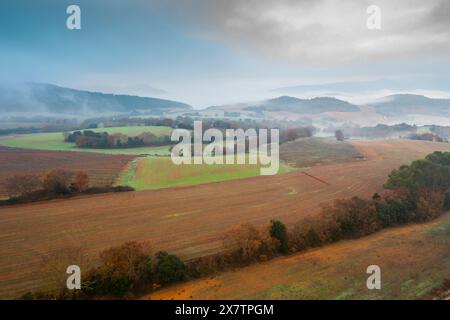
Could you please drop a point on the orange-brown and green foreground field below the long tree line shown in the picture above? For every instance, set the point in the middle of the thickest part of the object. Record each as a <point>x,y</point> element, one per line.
<point>414,260</point>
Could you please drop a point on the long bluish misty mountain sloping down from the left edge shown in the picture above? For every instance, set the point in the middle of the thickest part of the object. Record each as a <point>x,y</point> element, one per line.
<point>41,97</point>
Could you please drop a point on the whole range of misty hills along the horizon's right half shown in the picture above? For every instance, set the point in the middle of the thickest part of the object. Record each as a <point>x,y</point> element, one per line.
<point>391,109</point>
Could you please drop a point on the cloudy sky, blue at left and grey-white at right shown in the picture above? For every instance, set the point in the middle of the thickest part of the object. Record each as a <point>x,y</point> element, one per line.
<point>214,52</point>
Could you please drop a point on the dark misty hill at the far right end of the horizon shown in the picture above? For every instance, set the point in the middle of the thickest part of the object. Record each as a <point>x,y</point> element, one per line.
<point>404,104</point>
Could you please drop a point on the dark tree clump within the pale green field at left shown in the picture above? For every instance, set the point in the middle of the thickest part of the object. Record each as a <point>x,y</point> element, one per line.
<point>103,140</point>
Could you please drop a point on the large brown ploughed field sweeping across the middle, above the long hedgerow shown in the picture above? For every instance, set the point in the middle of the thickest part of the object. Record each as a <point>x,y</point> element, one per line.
<point>188,221</point>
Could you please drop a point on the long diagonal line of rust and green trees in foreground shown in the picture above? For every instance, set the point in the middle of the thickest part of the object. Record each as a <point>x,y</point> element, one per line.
<point>412,193</point>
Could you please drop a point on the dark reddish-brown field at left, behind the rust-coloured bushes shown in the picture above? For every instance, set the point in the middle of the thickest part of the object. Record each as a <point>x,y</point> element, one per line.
<point>102,169</point>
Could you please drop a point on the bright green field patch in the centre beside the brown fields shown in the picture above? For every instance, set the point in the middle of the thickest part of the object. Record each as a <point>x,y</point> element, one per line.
<point>159,172</point>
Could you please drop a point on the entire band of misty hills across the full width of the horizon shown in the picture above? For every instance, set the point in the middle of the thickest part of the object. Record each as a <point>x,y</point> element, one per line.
<point>44,99</point>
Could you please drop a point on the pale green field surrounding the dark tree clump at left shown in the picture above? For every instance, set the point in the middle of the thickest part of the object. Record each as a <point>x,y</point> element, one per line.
<point>55,142</point>
